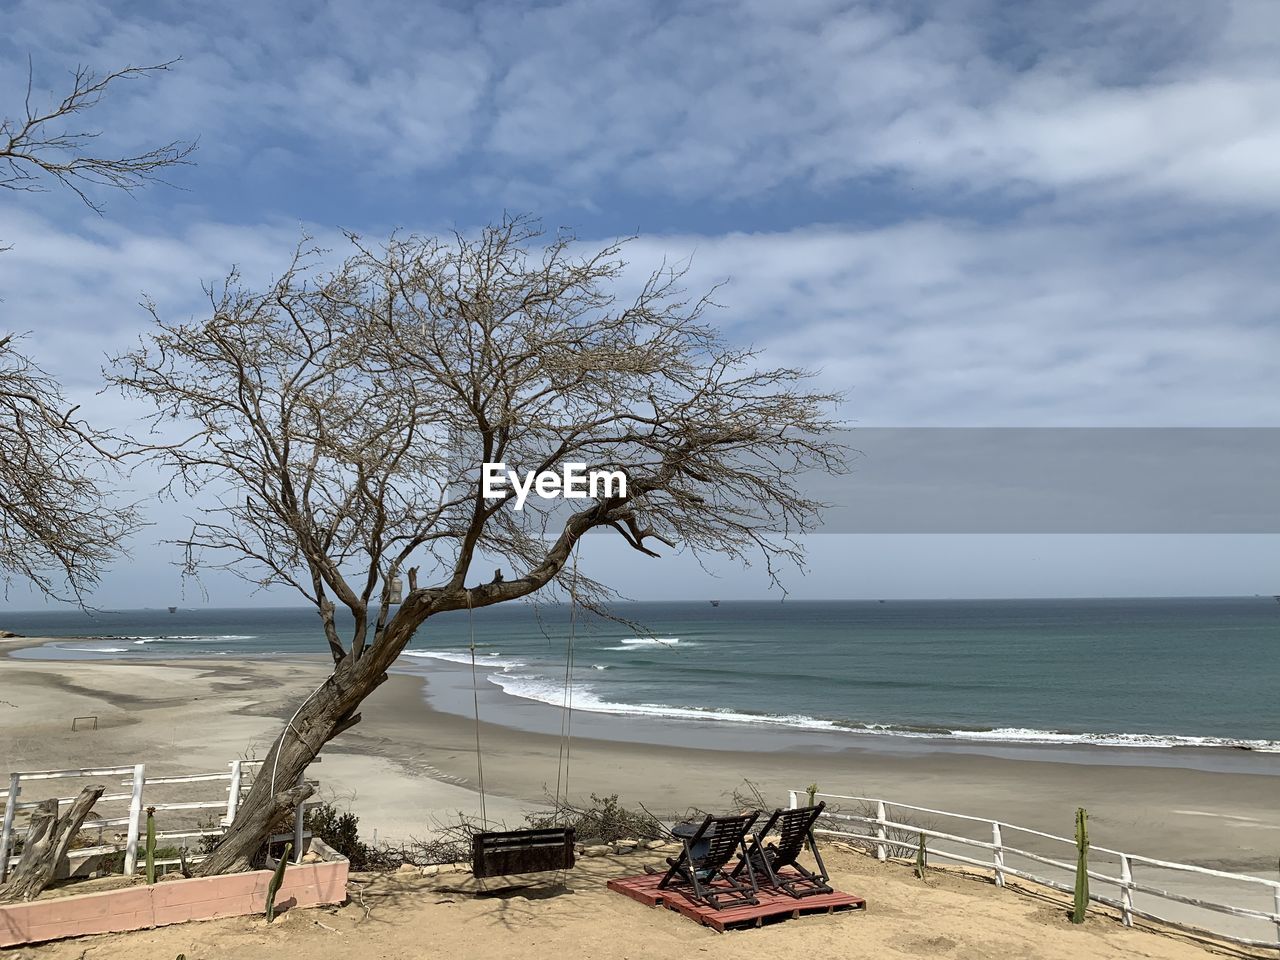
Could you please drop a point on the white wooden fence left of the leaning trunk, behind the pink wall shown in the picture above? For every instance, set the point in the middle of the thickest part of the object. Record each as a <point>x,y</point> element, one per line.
<point>237,779</point>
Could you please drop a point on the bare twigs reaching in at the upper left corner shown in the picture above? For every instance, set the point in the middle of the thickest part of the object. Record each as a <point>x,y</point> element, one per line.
<point>48,143</point>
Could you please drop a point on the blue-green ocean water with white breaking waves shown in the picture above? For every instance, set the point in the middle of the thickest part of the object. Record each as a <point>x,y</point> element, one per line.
<point>1121,673</point>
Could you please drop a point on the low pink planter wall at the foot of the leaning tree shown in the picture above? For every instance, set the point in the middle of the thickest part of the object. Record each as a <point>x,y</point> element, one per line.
<point>175,902</point>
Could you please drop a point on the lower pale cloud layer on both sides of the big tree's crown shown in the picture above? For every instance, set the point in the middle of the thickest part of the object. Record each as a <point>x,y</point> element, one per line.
<point>931,323</point>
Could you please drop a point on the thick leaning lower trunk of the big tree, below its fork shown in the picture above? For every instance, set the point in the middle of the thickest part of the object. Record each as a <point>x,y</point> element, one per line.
<point>277,789</point>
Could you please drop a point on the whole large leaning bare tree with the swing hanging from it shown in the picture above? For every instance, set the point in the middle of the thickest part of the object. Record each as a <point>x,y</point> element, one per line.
<point>344,418</point>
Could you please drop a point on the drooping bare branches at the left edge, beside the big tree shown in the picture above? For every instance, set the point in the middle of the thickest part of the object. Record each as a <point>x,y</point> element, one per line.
<point>57,529</point>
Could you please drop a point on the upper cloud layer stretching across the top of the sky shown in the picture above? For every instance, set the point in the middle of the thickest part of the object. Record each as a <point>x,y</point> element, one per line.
<point>1124,100</point>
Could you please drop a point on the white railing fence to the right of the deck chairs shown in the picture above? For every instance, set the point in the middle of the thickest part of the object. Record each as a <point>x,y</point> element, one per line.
<point>883,828</point>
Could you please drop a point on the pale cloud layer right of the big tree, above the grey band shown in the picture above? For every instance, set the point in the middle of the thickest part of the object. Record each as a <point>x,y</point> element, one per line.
<point>1040,326</point>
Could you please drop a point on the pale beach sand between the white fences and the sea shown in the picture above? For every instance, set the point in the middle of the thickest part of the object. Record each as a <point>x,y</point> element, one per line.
<point>410,764</point>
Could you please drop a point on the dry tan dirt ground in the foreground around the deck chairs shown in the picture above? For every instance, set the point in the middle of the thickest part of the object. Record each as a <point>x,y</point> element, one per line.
<point>396,916</point>
